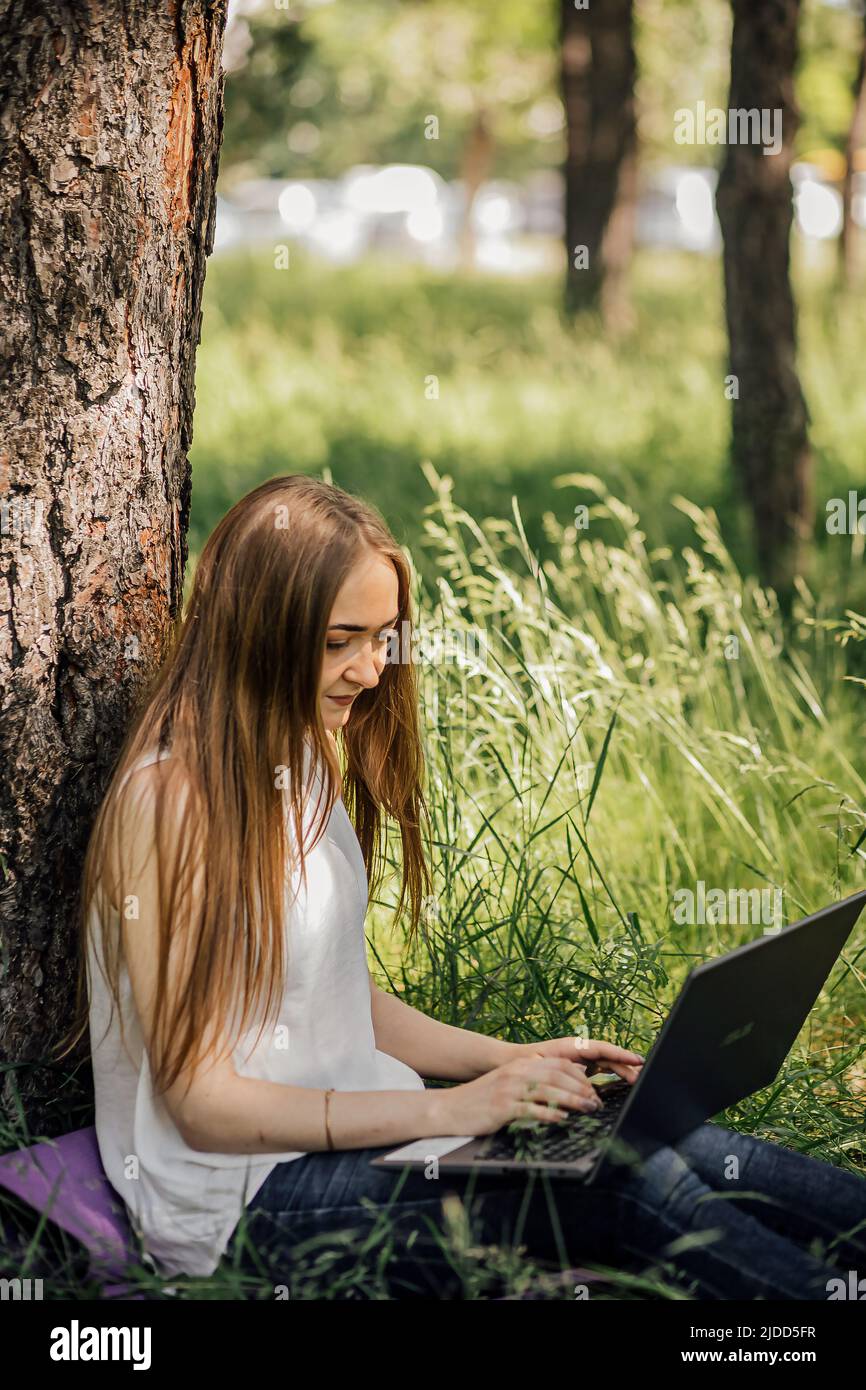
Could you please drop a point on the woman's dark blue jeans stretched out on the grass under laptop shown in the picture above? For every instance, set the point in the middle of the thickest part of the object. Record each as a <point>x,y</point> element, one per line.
<point>746,1218</point>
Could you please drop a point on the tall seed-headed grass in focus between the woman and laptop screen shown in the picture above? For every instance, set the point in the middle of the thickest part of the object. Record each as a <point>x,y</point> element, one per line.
<point>644,722</point>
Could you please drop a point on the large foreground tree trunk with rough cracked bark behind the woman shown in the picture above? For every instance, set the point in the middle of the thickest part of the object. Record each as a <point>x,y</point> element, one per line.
<point>111,127</point>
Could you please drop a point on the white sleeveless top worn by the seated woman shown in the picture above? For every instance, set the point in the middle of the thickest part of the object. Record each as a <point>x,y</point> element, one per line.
<point>187,1204</point>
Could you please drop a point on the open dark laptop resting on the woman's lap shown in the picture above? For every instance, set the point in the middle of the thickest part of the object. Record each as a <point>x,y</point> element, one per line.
<point>728,1035</point>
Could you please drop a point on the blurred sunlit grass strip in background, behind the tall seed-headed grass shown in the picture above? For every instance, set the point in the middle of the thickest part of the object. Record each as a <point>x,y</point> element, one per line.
<point>318,369</point>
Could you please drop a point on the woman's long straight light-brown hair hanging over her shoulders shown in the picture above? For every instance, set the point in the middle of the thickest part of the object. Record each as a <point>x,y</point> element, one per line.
<point>237,700</point>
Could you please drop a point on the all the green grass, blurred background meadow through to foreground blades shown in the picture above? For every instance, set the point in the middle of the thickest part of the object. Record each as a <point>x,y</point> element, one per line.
<point>644,718</point>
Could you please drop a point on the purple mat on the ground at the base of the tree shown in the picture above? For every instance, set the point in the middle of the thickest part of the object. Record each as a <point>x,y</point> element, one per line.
<point>65,1179</point>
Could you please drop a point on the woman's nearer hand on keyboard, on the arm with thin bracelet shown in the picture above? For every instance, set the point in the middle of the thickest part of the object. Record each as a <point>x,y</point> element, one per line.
<point>529,1089</point>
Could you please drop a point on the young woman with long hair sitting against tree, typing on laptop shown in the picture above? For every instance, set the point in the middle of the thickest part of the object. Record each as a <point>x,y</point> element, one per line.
<point>247,1068</point>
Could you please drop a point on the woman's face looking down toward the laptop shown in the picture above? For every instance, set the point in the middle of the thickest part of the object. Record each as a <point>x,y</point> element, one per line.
<point>365,612</point>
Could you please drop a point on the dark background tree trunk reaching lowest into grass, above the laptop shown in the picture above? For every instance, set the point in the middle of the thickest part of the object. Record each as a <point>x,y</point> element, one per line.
<point>771,443</point>
